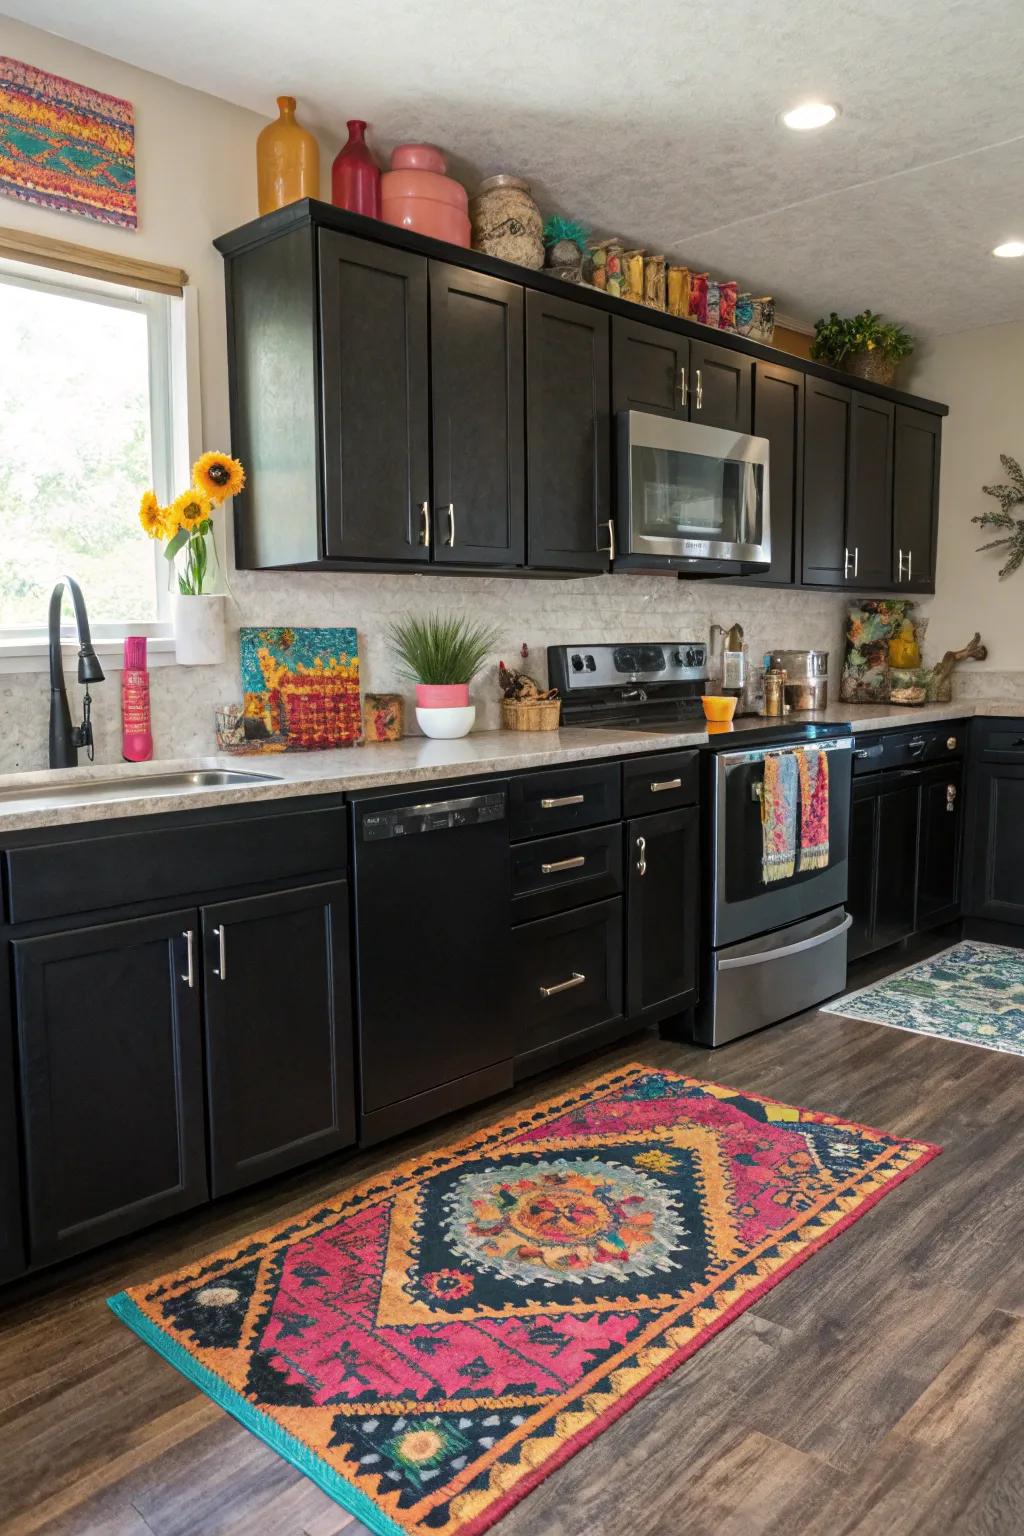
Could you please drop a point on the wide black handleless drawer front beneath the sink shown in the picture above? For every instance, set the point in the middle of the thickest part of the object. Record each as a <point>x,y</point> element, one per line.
<point>93,875</point>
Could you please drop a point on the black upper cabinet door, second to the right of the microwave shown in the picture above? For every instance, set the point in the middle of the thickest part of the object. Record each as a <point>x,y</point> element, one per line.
<point>827,432</point>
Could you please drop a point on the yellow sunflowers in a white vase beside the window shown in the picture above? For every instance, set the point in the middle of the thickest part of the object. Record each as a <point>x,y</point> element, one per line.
<point>188,526</point>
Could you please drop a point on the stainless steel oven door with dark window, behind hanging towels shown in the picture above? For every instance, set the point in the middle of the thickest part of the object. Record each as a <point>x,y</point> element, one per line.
<point>744,905</point>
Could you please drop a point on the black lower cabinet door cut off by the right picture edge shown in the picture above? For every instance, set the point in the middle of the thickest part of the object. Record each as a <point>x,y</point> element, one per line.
<point>997,864</point>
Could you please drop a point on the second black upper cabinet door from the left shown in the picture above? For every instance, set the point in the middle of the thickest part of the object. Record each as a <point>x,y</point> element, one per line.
<point>477,377</point>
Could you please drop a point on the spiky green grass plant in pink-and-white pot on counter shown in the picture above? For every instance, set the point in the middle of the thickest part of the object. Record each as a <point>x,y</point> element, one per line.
<point>443,655</point>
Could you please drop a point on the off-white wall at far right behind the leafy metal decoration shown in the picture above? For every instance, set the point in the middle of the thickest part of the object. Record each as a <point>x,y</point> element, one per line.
<point>982,377</point>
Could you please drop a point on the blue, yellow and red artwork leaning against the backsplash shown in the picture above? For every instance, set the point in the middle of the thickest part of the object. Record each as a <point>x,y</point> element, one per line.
<point>300,690</point>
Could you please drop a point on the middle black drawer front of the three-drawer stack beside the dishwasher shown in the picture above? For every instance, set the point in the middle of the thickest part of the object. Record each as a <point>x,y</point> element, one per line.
<point>552,875</point>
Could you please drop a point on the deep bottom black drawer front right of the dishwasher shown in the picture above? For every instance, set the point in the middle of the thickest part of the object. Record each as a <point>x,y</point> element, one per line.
<point>569,973</point>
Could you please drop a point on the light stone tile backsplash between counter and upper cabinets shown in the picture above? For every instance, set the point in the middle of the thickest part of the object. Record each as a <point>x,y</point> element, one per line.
<point>524,611</point>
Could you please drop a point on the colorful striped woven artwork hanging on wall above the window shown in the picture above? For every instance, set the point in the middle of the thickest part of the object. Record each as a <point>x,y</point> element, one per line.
<point>67,147</point>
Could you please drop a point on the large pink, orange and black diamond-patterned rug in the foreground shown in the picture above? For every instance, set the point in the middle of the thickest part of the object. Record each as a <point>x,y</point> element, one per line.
<point>437,1340</point>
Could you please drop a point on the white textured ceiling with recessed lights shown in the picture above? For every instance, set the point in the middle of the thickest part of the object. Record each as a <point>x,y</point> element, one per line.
<point>658,121</point>
